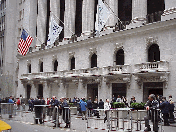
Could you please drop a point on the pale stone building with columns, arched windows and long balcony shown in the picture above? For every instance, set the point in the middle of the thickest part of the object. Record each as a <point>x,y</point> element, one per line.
<point>134,55</point>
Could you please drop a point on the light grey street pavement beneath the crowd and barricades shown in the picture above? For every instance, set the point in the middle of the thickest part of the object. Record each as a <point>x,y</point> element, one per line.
<point>25,121</point>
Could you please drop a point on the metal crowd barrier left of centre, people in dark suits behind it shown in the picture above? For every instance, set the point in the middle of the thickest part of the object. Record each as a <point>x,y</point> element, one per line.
<point>55,115</point>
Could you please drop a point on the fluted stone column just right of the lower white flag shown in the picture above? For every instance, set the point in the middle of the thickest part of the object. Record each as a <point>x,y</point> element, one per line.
<point>70,11</point>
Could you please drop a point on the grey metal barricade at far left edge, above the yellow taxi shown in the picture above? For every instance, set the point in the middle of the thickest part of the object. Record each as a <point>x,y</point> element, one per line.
<point>7,109</point>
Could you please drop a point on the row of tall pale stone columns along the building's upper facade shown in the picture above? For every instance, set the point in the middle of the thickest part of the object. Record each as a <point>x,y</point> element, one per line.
<point>139,12</point>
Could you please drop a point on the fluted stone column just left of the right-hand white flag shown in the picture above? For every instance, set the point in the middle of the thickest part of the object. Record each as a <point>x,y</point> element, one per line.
<point>88,16</point>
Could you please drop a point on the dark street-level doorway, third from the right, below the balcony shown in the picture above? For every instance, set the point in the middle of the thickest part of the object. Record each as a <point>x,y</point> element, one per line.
<point>92,91</point>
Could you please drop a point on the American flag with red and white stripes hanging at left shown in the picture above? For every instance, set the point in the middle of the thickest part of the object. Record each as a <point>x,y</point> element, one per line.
<point>24,43</point>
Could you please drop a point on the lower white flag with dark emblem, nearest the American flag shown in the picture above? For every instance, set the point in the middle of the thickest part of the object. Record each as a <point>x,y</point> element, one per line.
<point>54,31</point>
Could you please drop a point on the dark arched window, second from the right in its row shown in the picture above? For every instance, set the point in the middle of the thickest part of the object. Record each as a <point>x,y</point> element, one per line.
<point>120,57</point>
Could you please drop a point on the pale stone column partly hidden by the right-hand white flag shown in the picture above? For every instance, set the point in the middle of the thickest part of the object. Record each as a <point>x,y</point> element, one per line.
<point>112,5</point>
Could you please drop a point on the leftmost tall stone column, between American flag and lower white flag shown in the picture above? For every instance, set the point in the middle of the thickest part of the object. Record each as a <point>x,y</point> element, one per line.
<point>41,21</point>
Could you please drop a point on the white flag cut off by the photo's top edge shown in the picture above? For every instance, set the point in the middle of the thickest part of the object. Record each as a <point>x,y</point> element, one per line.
<point>102,15</point>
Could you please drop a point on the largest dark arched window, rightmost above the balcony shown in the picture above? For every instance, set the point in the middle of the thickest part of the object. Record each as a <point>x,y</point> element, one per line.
<point>153,53</point>
